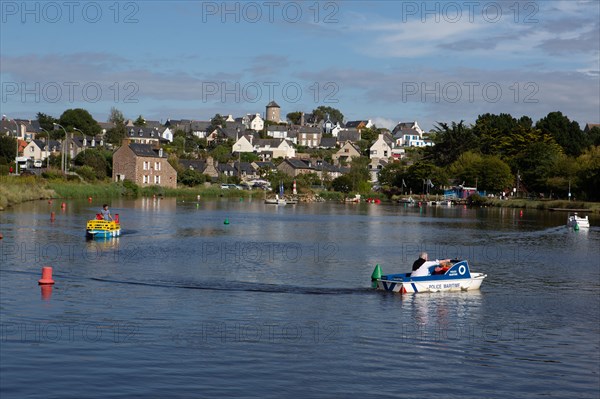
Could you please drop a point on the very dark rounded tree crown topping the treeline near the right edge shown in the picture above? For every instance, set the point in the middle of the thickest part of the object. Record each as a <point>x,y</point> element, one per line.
<point>565,132</point>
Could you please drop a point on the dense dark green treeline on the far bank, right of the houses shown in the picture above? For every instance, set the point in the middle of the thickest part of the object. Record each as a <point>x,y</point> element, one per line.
<point>497,151</point>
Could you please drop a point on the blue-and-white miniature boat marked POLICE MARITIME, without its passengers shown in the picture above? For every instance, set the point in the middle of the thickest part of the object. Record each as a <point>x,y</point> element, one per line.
<point>457,277</point>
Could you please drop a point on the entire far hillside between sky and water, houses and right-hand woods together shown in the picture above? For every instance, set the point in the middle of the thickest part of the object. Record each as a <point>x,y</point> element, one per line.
<point>498,154</point>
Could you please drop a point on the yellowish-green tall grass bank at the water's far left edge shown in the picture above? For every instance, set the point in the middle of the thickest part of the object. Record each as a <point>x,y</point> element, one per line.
<point>14,190</point>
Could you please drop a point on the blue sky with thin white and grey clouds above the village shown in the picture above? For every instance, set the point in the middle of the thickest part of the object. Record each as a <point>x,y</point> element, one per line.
<point>387,61</point>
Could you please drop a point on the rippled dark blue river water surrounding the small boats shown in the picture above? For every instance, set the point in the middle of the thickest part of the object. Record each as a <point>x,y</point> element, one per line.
<point>278,303</point>
